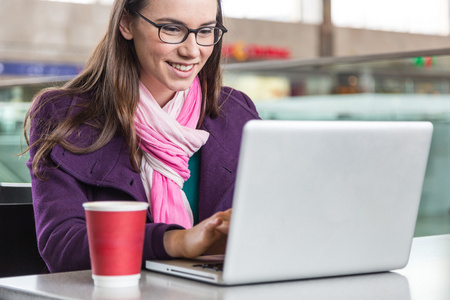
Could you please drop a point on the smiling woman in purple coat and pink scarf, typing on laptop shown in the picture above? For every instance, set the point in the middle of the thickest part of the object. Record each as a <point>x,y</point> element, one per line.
<point>125,128</point>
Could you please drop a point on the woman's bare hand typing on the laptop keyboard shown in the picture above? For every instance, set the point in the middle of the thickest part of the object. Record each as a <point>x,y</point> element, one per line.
<point>208,237</point>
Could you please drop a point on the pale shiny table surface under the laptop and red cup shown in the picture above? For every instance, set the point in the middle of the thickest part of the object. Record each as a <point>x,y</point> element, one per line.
<point>427,276</point>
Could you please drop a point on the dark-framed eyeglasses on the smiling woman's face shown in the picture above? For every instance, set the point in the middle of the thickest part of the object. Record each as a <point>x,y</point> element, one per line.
<point>177,33</point>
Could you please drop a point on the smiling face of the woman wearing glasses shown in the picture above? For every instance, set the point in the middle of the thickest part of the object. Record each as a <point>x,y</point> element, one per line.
<point>167,68</point>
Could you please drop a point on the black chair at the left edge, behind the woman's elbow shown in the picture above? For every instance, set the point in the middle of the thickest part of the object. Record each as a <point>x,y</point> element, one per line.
<point>18,245</point>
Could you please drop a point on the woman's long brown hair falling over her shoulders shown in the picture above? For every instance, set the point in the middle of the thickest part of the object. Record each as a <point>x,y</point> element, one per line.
<point>114,94</point>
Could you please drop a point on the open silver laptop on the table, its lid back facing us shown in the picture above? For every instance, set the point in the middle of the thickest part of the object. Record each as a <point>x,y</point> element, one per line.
<point>318,199</point>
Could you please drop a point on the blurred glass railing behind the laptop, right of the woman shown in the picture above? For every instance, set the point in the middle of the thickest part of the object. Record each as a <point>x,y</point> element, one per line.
<point>391,87</point>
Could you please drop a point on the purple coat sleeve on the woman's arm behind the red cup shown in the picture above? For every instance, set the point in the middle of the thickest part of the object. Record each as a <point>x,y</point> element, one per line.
<point>59,215</point>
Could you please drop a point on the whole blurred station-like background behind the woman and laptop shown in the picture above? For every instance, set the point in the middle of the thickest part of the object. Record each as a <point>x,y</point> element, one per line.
<point>297,59</point>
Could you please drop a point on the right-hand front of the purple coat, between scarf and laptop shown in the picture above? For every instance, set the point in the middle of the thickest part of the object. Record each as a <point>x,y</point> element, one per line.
<point>220,154</point>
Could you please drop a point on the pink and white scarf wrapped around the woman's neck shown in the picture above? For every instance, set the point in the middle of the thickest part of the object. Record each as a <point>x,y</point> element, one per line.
<point>169,138</point>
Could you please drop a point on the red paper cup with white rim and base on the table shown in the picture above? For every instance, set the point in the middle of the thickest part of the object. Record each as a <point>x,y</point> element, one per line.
<point>116,241</point>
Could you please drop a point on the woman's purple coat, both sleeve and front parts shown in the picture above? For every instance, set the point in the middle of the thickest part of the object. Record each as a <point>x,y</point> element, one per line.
<point>107,174</point>
